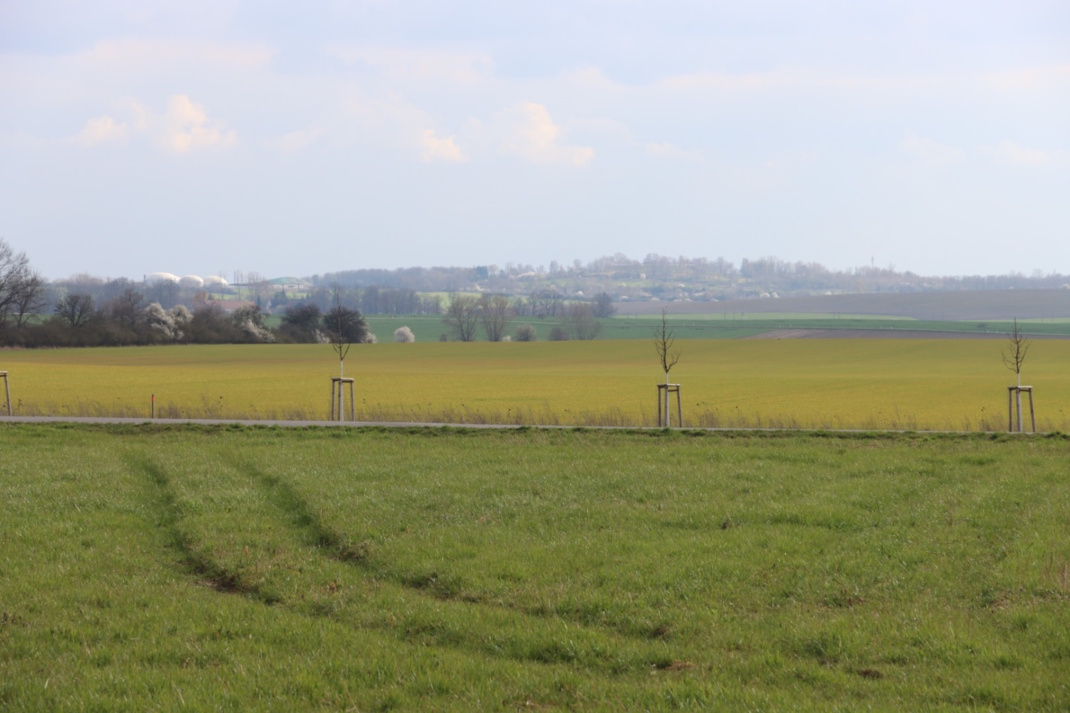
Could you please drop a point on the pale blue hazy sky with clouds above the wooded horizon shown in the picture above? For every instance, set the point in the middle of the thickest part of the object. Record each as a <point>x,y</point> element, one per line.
<point>286,139</point>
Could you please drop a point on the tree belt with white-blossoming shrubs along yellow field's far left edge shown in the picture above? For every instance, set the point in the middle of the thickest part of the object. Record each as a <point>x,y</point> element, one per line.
<point>87,312</point>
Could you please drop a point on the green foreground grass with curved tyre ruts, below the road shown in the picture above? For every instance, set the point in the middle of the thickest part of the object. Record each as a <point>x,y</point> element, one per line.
<point>234,569</point>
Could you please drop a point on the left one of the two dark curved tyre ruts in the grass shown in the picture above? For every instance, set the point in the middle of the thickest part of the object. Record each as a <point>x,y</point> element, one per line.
<point>194,560</point>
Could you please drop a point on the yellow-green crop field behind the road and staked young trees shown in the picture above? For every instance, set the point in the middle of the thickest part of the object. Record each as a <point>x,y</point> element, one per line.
<point>957,385</point>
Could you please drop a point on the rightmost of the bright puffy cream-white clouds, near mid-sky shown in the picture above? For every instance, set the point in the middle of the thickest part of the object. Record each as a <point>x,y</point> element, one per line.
<point>528,131</point>
